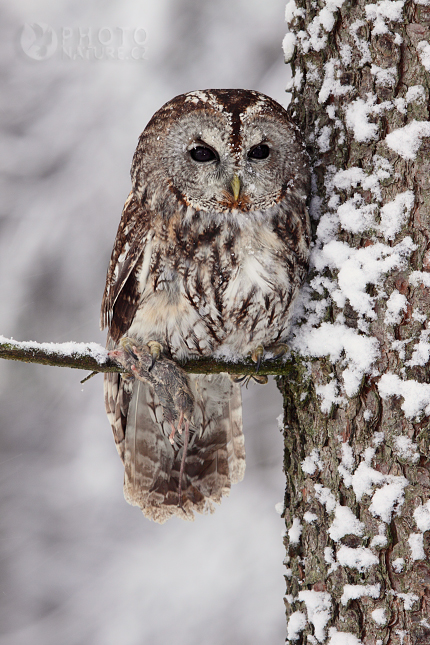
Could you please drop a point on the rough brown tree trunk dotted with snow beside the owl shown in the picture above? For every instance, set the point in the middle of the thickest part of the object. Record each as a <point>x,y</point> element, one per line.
<point>356,418</point>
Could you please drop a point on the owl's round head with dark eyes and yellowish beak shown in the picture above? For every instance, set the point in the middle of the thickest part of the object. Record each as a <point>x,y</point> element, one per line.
<point>223,151</point>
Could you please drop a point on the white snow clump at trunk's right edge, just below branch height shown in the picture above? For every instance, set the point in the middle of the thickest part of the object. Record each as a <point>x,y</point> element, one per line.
<point>416,395</point>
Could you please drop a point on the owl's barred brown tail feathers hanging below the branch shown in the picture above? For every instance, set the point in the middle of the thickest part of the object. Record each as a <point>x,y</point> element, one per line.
<point>215,455</point>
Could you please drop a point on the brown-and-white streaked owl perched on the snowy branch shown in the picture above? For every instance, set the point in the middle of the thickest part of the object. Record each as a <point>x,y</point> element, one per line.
<point>211,250</point>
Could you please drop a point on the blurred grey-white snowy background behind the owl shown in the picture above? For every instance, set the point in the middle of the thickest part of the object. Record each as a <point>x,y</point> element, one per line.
<point>78,565</point>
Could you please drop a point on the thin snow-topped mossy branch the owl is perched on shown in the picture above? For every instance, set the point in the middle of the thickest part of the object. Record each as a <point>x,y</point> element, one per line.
<point>94,357</point>
